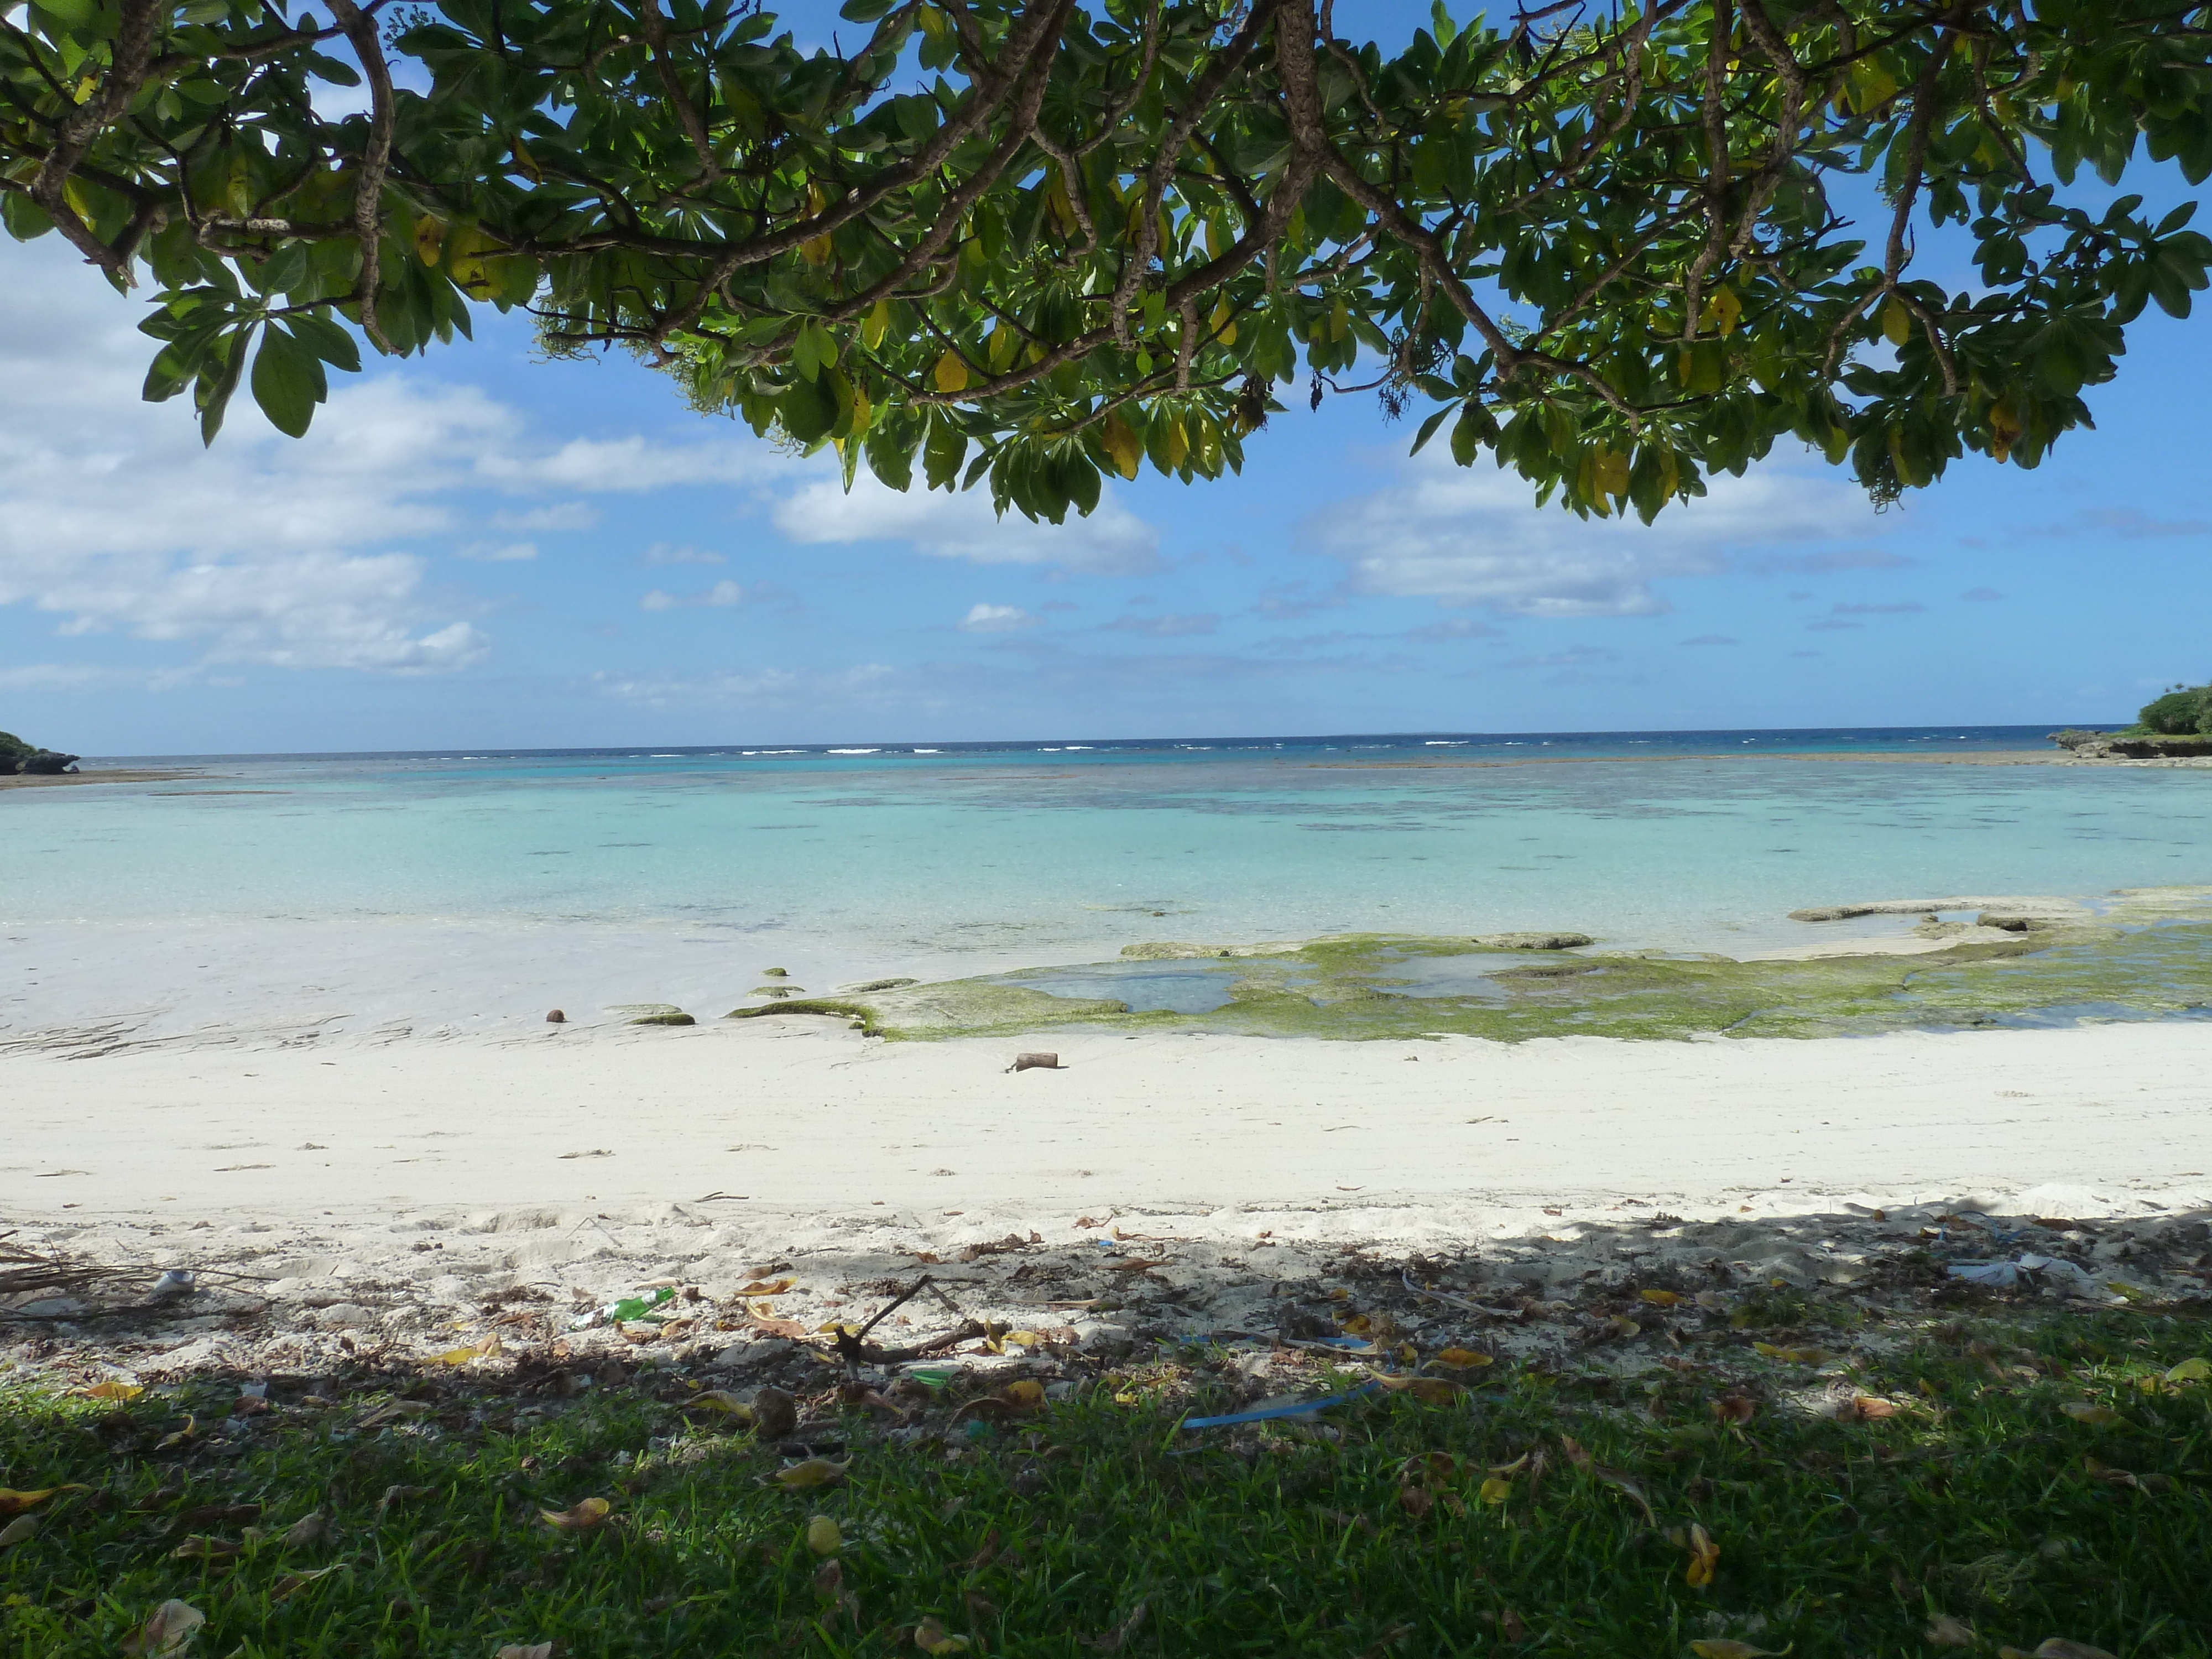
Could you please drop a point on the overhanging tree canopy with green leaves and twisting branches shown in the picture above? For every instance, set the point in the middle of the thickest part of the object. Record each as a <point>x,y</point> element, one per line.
<point>1036,242</point>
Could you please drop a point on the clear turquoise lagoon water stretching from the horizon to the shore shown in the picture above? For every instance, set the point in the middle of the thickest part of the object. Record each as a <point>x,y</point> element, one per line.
<point>939,859</point>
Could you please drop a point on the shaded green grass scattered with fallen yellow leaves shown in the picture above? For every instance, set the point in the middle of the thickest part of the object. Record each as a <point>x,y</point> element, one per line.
<point>1981,1499</point>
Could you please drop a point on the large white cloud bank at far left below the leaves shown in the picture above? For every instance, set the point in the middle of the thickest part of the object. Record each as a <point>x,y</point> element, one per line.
<point>269,550</point>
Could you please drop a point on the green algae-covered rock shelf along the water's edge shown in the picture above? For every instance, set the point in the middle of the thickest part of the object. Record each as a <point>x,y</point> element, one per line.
<point>2147,959</point>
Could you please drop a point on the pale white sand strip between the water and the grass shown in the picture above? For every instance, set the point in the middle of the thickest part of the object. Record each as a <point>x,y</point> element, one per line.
<point>397,1196</point>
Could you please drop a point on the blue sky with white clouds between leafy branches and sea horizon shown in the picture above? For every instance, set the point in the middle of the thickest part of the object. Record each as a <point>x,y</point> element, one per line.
<point>486,550</point>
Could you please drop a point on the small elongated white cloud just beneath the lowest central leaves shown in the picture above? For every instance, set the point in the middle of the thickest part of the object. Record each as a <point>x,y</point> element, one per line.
<point>963,528</point>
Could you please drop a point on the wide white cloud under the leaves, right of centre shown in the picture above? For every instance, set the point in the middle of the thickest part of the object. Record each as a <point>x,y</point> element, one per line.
<point>1474,536</point>
